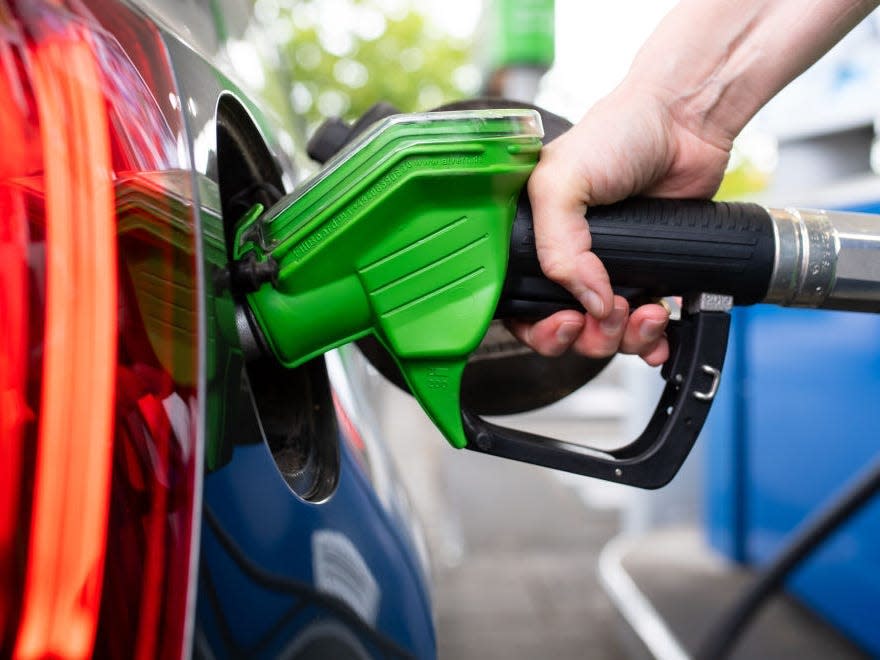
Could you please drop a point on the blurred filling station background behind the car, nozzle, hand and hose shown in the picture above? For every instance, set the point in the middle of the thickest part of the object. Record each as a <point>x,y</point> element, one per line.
<point>530,563</point>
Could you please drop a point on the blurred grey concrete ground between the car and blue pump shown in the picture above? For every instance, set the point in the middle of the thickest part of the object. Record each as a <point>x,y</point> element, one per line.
<point>515,550</point>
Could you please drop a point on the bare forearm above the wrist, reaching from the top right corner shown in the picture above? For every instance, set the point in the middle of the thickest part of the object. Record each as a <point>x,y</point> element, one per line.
<point>717,62</point>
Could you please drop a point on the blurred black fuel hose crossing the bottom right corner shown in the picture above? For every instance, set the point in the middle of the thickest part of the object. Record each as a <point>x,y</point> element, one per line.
<point>809,537</point>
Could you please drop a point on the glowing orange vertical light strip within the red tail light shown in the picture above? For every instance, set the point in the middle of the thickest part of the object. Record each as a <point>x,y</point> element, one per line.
<point>65,560</point>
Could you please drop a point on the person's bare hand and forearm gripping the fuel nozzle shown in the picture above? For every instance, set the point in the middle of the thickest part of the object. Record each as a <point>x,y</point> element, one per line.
<point>665,131</point>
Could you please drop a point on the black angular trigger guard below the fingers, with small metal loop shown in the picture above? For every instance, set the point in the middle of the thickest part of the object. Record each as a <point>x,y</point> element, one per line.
<point>698,342</point>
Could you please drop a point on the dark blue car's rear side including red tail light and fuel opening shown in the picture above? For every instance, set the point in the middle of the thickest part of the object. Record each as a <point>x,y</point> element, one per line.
<point>163,495</point>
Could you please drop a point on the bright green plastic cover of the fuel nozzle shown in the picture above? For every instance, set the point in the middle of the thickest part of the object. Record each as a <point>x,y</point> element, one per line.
<point>404,235</point>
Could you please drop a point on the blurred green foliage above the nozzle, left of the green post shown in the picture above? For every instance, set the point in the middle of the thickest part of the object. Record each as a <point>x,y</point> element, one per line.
<point>345,55</point>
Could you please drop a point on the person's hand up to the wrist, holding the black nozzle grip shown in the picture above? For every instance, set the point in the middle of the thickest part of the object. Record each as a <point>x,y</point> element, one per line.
<point>629,143</point>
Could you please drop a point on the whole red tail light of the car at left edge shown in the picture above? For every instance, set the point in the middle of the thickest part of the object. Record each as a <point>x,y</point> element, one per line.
<point>98,462</point>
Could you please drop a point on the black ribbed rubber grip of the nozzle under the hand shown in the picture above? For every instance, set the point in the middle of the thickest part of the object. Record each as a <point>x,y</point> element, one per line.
<point>654,247</point>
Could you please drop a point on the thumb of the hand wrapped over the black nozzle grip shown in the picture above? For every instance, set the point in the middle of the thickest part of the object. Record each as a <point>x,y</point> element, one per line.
<point>562,235</point>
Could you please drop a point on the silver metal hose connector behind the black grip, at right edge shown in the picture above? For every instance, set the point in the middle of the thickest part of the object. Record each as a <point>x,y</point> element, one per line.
<point>826,259</point>
